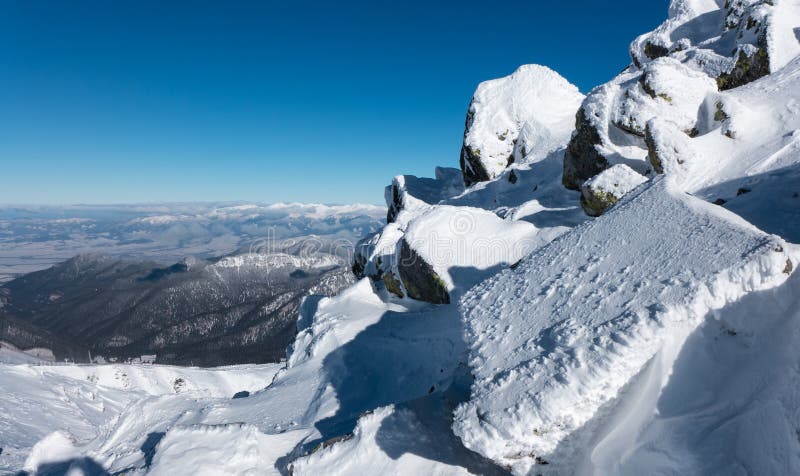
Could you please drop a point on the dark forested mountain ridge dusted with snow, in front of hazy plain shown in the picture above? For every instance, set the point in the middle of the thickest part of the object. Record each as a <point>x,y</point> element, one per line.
<point>237,309</point>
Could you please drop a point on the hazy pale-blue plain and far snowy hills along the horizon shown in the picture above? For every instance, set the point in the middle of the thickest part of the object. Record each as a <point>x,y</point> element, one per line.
<point>35,237</point>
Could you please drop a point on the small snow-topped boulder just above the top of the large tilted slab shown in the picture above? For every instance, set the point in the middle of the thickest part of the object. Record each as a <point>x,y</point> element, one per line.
<point>600,193</point>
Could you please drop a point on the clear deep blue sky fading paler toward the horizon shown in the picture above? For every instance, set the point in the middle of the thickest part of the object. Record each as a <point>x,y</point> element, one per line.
<point>139,101</point>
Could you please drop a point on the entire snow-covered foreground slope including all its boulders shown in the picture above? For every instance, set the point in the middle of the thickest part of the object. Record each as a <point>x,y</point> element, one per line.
<point>661,337</point>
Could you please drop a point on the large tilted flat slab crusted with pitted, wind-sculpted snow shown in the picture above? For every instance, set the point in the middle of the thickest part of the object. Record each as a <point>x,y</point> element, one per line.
<point>554,342</point>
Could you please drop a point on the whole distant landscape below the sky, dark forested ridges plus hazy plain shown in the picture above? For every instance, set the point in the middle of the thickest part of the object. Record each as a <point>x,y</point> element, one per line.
<point>128,280</point>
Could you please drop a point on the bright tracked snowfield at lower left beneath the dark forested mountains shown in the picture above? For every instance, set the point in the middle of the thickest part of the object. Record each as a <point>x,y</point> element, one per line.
<point>51,413</point>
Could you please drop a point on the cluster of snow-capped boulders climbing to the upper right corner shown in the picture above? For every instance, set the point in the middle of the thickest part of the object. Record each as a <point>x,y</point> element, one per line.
<point>702,47</point>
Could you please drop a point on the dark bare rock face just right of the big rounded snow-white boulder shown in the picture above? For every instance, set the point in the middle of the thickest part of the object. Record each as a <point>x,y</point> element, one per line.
<point>582,160</point>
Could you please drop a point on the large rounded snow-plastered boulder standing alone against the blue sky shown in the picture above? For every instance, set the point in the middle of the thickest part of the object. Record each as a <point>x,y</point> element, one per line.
<point>501,108</point>
